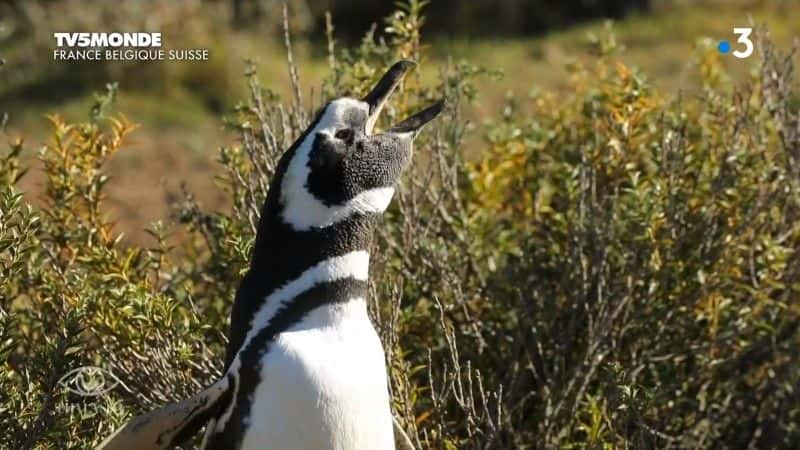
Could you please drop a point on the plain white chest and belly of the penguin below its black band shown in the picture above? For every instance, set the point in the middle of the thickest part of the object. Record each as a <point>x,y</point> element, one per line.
<point>323,386</point>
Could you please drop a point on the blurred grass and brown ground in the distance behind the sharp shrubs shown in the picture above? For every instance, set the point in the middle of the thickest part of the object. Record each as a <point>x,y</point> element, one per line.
<point>179,104</point>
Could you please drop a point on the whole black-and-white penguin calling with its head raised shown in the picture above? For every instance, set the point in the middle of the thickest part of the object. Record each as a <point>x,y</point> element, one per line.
<point>304,367</point>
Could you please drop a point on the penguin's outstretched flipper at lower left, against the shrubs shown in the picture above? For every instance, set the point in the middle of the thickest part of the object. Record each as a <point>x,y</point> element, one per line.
<point>168,425</point>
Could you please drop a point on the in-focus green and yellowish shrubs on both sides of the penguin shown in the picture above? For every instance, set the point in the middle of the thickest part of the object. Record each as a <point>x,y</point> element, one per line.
<point>618,269</point>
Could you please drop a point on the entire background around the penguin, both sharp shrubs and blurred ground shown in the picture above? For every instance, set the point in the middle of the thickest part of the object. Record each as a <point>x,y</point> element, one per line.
<point>597,247</point>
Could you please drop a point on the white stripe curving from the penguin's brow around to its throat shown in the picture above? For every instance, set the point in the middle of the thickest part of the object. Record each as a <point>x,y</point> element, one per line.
<point>301,209</point>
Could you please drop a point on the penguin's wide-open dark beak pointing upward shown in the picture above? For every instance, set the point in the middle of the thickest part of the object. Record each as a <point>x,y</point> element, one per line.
<point>379,95</point>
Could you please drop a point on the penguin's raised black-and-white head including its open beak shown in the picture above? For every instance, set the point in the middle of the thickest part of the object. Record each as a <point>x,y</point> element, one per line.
<point>340,167</point>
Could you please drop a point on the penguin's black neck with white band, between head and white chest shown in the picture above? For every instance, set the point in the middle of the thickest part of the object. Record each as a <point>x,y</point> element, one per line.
<point>293,273</point>
